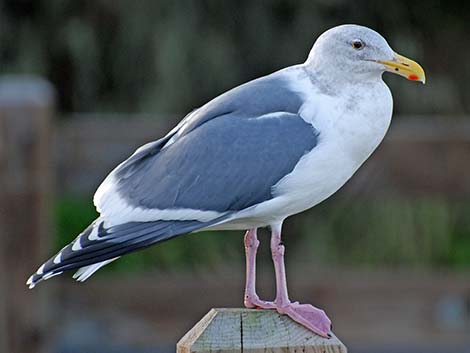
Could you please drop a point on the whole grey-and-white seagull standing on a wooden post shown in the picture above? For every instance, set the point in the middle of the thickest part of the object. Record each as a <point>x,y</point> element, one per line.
<point>251,157</point>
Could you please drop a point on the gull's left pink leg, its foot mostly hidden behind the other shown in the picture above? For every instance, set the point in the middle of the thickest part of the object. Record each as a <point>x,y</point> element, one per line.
<point>251,298</point>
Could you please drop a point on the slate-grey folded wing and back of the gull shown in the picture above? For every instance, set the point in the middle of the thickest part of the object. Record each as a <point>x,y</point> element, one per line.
<point>226,156</point>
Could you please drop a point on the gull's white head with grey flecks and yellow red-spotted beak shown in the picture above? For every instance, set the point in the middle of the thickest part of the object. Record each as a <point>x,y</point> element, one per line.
<point>352,53</point>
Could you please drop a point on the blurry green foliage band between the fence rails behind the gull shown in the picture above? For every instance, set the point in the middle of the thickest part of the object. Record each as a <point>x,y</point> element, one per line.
<point>390,232</point>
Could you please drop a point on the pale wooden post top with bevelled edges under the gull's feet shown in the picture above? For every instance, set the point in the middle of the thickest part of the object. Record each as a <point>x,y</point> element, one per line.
<point>253,331</point>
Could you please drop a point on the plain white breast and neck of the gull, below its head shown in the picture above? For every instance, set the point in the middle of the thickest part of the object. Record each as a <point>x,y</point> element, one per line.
<point>351,127</point>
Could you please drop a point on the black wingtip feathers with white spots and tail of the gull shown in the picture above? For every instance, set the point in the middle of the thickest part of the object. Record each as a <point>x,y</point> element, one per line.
<point>97,246</point>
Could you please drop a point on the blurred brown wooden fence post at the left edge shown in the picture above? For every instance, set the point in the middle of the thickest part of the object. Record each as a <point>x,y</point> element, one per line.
<point>26,109</point>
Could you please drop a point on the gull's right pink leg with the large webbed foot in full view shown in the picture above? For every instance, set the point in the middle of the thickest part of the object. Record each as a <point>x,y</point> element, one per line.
<point>305,314</point>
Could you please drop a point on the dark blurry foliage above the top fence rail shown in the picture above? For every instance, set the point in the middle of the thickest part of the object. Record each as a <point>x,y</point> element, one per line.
<point>171,56</point>
